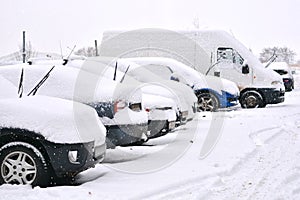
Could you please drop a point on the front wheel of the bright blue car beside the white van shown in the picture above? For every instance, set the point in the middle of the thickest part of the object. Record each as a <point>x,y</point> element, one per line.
<point>207,102</point>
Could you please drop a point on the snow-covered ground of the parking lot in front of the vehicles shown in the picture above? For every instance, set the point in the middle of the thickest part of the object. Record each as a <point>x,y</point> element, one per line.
<point>256,156</point>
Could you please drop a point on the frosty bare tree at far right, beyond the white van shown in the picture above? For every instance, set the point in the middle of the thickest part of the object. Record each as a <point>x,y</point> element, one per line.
<point>284,54</point>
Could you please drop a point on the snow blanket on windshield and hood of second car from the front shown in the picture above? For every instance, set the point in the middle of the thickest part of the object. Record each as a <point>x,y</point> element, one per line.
<point>70,83</point>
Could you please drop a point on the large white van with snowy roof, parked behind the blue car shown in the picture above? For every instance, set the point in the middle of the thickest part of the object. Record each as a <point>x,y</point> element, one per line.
<point>211,52</point>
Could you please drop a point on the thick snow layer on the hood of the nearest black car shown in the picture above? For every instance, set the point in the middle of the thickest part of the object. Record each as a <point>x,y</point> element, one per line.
<point>58,120</point>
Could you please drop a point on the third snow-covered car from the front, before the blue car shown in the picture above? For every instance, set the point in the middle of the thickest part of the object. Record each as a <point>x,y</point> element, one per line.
<point>157,124</point>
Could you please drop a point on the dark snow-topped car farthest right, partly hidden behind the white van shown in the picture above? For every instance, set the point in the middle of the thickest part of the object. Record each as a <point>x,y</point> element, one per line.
<point>283,69</point>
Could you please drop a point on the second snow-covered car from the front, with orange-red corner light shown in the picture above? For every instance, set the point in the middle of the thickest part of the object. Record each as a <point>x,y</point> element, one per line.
<point>118,105</point>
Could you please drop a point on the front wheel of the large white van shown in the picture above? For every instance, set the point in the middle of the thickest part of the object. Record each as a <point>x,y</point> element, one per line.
<point>252,99</point>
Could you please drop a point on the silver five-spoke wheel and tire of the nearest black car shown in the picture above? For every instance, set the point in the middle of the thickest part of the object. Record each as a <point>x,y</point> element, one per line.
<point>23,164</point>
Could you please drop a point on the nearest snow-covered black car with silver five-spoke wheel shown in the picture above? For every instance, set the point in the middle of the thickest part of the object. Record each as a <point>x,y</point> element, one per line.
<point>43,139</point>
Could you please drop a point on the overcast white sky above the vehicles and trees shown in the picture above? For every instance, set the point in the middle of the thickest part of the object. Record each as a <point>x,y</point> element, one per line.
<point>256,23</point>
